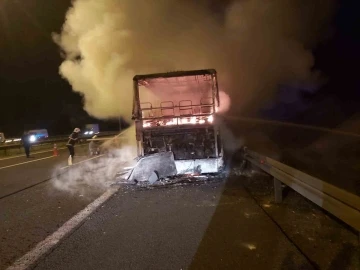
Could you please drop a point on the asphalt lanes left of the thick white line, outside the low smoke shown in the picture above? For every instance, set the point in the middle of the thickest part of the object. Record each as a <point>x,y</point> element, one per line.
<point>31,207</point>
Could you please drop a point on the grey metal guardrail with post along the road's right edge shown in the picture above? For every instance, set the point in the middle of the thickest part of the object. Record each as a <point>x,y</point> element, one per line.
<point>338,202</point>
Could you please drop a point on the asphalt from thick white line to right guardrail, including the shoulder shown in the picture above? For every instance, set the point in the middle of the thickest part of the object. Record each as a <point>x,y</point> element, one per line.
<point>211,225</point>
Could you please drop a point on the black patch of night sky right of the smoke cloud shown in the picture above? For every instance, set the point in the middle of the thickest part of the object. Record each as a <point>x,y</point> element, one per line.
<point>338,59</point>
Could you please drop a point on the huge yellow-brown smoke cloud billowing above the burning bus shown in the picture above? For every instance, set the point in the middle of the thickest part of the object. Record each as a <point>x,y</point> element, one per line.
<point>254,46</point>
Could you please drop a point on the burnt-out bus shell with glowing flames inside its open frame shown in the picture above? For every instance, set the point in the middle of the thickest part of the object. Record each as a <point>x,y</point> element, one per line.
<point>175,112</point>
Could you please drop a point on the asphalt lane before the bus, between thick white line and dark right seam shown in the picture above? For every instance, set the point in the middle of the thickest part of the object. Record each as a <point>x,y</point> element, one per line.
<point>207,226</point>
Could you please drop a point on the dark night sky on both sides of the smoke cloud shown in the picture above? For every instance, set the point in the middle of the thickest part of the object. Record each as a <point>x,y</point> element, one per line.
<point>33,95</point>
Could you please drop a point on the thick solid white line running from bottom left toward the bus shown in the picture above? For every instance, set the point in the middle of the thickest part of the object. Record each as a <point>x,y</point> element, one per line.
<point>51,242</point>
